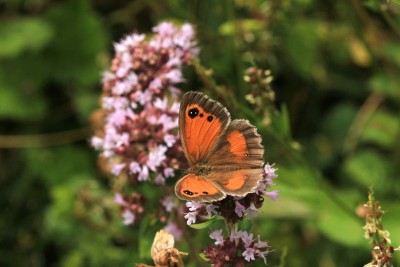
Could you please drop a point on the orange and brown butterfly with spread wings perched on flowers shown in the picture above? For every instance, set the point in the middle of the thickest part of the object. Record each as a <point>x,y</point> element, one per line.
<point>225,156</point>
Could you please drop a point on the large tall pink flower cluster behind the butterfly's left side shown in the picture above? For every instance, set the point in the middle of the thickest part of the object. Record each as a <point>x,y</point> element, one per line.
<point>139,136</point>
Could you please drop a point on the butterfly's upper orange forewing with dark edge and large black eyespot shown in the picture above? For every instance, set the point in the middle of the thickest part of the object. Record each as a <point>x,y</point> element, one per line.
<point>201,123</point>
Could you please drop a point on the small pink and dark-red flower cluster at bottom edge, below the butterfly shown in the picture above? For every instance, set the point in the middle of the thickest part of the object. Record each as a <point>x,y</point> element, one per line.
<point>236,250</point>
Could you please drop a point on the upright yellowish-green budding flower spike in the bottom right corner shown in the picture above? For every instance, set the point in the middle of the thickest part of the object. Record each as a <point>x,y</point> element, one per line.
<point>381,251</point>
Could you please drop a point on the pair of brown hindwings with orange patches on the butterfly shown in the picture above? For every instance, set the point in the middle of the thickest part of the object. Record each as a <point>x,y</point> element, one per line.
<point>237,159</point>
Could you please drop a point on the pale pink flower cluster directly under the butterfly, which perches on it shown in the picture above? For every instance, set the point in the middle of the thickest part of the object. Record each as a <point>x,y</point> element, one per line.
<point>245,206</point>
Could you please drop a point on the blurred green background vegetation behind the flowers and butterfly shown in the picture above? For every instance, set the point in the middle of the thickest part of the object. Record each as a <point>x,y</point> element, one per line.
<point>336,77</point>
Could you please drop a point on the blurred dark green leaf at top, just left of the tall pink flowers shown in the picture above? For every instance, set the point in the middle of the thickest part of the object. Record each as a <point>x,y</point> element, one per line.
<point>74,54</point>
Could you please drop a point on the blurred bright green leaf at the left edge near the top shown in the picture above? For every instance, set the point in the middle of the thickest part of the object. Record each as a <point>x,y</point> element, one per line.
<point>23,34</point>
